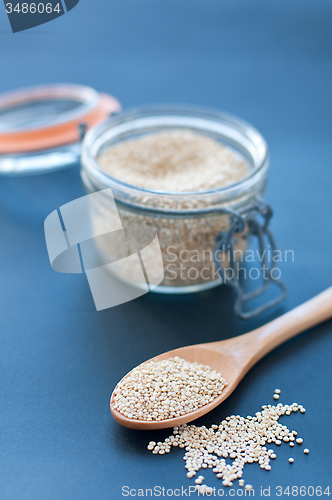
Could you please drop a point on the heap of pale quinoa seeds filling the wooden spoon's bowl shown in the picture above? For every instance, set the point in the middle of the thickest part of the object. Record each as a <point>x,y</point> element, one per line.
<point>160,390</point>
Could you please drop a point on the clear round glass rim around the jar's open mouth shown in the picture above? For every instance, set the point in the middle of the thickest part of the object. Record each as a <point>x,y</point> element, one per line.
<point>95,140</point>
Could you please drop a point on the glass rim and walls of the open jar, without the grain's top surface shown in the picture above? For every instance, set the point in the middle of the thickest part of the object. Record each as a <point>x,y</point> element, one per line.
<point>187,223</point>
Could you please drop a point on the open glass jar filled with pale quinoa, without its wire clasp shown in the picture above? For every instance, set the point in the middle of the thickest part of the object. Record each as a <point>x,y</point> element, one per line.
<point>181,173</point>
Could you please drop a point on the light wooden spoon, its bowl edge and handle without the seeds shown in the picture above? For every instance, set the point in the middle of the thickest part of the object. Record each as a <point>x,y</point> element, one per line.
<point>234,357</point>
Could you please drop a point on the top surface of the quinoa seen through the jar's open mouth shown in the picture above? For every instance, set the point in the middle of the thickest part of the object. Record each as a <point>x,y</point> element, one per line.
<point>174,161</point>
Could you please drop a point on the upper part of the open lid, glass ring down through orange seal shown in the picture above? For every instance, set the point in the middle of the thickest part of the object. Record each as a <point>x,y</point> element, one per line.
<point>33,123</point>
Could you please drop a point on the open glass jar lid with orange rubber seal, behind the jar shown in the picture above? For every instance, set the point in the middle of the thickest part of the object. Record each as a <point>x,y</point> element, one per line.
<point>41,127</point>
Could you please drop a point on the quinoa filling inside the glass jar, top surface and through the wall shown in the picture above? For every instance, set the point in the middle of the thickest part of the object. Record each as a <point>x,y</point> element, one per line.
<point>176,161</point>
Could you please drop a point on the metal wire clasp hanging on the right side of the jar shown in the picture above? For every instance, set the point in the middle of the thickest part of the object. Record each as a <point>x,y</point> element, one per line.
<point>248,222</point>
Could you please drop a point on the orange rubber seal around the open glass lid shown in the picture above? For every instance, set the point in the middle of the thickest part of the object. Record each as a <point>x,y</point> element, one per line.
<point>57,135</point>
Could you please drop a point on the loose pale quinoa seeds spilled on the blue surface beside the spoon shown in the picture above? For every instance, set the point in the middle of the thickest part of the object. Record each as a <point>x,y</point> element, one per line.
<point>241,439</point>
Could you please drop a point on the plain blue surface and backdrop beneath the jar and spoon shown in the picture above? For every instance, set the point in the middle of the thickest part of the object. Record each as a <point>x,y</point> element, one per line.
<point>268,62</point>
